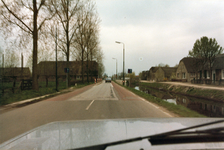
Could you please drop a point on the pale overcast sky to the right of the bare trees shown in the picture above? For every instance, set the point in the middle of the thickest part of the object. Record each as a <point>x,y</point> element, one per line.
<point>155,31</point>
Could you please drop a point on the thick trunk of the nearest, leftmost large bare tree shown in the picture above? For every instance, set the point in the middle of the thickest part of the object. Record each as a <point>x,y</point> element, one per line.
<point>35,39</point>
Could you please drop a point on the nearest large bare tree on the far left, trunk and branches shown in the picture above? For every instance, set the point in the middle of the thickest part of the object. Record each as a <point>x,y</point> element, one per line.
<point>27,17</point>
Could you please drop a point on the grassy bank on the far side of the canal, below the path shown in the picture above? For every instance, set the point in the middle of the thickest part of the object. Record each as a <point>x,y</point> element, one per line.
<point>216,95</point>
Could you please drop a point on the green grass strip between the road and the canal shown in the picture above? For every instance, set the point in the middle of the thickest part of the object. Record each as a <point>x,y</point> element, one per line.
<point>177,109</point>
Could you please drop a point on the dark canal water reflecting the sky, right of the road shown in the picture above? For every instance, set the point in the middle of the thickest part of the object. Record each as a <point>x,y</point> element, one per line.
<point>206,107</point>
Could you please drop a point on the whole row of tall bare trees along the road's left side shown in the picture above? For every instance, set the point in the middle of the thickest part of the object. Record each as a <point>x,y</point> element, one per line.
<point>75,22</point>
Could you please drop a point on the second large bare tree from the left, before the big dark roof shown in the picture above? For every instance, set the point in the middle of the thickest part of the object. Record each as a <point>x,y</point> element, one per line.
<point>66,11</point>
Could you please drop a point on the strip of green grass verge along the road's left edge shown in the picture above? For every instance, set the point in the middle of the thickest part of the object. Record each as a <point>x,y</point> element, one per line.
<point>10,97</point>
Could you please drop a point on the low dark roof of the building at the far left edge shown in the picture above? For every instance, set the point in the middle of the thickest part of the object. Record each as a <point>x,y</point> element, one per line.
<point>15,72</point>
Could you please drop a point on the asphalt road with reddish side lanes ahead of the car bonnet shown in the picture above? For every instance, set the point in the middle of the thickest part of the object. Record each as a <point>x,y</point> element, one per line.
<point>101,101</point>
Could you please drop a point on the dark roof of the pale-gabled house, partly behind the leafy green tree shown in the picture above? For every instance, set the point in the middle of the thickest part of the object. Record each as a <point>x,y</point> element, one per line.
<point>190,63</point>
